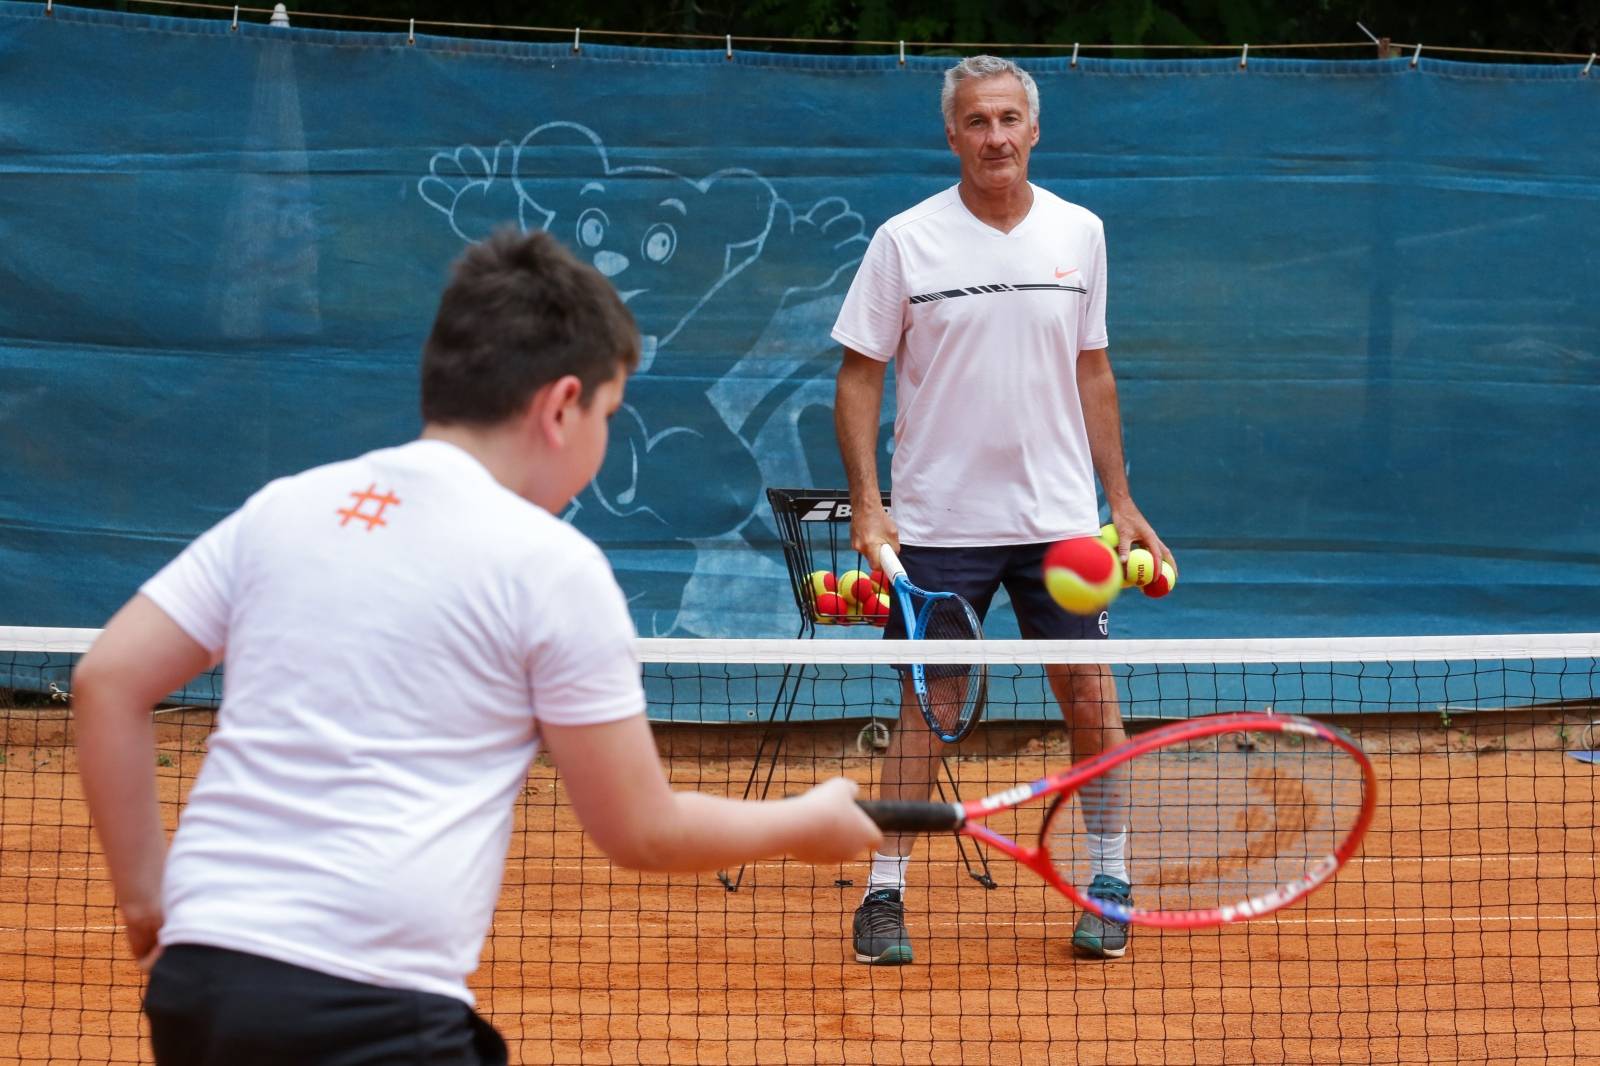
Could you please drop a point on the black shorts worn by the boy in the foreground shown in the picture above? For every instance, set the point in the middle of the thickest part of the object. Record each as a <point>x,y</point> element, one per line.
<point>217,1008</point>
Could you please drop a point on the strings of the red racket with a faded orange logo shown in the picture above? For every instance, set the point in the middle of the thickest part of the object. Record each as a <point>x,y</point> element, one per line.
<point>1214,824</point>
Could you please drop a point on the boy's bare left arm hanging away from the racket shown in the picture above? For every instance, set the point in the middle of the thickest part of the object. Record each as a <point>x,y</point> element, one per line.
<point>138,660</point>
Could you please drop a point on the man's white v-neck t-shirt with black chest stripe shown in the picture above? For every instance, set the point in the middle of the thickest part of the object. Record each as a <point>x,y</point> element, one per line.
<point>985,331</point>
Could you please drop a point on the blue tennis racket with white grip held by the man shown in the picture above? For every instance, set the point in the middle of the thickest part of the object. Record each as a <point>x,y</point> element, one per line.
<point>951,695</point>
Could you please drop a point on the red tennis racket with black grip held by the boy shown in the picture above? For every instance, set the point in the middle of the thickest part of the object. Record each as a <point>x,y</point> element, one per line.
<point>1226,817</point>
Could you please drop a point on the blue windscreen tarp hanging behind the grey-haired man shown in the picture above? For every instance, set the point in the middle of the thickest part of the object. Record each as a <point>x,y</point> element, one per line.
<point>1353,305</point>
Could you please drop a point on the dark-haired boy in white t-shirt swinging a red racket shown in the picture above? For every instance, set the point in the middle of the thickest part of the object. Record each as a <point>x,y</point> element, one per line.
<point>402,631</point>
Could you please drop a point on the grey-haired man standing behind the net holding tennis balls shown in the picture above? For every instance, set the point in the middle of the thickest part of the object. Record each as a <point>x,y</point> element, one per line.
<point>991,302</point>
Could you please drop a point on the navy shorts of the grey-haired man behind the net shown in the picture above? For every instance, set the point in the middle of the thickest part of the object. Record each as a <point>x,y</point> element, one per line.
<point>977,574</point>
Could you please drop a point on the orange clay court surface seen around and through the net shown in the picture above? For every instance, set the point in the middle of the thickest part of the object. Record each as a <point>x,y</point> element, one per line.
<point>1466,931</point>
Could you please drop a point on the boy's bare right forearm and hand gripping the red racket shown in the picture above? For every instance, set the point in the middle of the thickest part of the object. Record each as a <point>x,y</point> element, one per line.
<point>623,799</point>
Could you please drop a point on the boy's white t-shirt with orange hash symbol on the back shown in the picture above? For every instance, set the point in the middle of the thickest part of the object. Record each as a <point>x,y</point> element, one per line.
<point>394,628</point>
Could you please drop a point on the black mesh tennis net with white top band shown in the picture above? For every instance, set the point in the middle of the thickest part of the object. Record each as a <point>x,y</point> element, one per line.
<point>1465,931</point>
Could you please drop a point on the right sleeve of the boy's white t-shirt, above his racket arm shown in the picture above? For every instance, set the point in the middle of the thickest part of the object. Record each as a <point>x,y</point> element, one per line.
<point>583,667</point>
